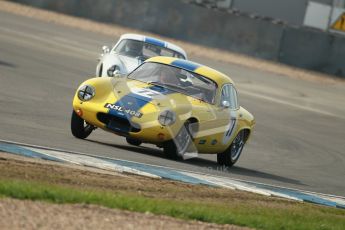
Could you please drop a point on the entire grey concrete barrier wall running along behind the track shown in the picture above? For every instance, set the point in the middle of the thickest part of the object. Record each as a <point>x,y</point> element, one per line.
<point>300,47</point>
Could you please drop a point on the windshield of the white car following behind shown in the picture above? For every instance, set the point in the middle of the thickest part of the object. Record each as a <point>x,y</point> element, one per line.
<point>144,50</point>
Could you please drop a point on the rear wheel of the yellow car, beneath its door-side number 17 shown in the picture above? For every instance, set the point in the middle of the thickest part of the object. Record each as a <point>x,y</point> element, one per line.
<point>230,156</point>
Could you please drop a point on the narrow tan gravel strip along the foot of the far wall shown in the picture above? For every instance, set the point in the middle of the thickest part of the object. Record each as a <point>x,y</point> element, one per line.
<point>191,49</point>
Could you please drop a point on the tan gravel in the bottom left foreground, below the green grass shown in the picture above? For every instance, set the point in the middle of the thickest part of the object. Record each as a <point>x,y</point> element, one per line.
<point>26,214</point>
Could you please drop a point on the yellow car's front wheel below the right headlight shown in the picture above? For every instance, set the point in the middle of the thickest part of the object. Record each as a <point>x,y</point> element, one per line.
<point>175,149</point>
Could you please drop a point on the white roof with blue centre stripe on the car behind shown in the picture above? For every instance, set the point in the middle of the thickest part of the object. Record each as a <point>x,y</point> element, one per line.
<point>154,41</point>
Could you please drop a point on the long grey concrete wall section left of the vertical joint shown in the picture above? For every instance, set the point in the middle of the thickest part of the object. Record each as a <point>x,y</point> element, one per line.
<point>178,20</point>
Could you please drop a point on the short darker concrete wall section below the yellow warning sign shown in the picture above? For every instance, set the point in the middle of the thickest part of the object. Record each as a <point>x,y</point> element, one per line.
<point>313,49</point>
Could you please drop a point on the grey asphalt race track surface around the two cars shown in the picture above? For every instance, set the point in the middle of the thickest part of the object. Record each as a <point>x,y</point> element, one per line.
<point>299,140</point>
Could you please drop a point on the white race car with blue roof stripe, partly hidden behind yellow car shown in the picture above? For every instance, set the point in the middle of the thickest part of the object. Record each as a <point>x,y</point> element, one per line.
<point>130,51</point>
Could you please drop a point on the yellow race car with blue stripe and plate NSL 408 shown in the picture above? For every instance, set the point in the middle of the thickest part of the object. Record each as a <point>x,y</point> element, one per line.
<point>179,105</point>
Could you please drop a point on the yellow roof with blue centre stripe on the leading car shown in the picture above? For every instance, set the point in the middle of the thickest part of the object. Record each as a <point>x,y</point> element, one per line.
<point>203,70</point>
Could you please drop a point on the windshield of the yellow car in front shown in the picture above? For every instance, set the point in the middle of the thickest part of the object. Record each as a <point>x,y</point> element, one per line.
<point>176,79</point>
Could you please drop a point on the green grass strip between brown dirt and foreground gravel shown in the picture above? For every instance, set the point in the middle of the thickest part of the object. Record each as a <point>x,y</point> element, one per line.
<point>298,216</point>
